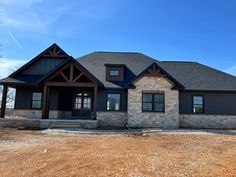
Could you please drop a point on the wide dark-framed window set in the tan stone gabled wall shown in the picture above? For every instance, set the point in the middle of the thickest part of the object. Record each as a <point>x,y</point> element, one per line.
<point>153,102</point>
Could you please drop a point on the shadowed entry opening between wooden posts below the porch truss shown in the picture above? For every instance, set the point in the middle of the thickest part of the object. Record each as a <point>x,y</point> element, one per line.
<point>69,103</point>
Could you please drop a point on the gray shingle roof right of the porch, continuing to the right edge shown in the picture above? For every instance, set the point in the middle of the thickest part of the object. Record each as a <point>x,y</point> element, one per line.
<point>192,75</point>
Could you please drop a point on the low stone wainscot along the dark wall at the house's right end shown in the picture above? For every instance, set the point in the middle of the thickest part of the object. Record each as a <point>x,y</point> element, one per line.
<point>207,121</point>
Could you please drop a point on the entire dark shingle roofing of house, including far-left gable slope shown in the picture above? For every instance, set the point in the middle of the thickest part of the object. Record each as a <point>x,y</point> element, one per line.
<point>188,75</point>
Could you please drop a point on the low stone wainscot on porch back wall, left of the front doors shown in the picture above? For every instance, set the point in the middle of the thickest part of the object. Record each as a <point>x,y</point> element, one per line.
<point>37,114</point>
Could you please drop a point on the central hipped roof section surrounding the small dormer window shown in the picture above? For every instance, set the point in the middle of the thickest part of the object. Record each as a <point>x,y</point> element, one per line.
<point>135,63</point>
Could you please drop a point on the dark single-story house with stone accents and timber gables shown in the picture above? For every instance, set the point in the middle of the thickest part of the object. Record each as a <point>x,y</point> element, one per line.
<point>122,88</point>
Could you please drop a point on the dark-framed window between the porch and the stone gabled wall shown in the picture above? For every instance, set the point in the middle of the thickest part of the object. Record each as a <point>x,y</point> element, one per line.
<point>113,101</point>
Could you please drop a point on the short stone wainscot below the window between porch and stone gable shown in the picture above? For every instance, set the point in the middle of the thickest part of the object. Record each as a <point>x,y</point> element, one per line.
<point>112,118</point>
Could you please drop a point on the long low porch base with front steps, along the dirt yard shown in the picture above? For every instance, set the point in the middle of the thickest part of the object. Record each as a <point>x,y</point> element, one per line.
<point>29,123</point>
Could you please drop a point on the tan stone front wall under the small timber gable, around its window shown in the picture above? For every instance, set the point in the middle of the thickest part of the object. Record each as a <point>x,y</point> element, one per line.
<point>137,118</point>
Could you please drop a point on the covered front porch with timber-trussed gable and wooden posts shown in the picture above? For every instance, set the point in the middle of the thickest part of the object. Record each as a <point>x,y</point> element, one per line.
<point>69,92</point>
